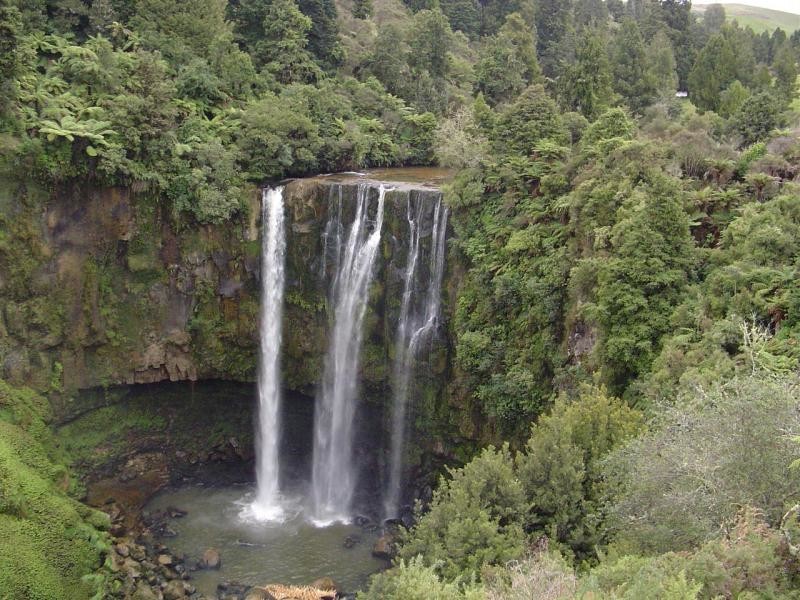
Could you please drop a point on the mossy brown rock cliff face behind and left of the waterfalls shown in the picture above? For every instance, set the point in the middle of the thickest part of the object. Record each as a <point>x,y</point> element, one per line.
<point>101,287</point>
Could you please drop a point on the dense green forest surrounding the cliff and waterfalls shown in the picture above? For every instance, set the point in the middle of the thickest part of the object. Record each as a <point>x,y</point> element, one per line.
<point>628,325</point>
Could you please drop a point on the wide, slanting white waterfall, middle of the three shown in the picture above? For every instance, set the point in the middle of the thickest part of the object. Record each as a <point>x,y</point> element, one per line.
<point>333,472</point>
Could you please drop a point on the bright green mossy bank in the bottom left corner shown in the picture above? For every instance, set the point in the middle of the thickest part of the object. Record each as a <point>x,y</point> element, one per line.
<point>49,544</point>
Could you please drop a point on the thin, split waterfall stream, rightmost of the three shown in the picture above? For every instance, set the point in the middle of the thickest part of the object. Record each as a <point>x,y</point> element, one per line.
<point>413,329</point>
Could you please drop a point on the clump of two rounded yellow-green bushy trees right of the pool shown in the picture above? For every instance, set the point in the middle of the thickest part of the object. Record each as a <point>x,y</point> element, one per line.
<point>553,488</point>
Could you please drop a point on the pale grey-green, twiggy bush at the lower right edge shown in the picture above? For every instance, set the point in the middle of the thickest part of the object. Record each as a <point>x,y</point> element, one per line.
<point>713,451</point>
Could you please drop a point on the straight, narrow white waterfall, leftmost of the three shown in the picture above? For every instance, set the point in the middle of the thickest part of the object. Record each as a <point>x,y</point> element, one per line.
<point>266,505</point>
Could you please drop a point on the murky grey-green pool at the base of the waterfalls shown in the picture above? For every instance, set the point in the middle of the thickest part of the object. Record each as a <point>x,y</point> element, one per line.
<point>291,552</point>
